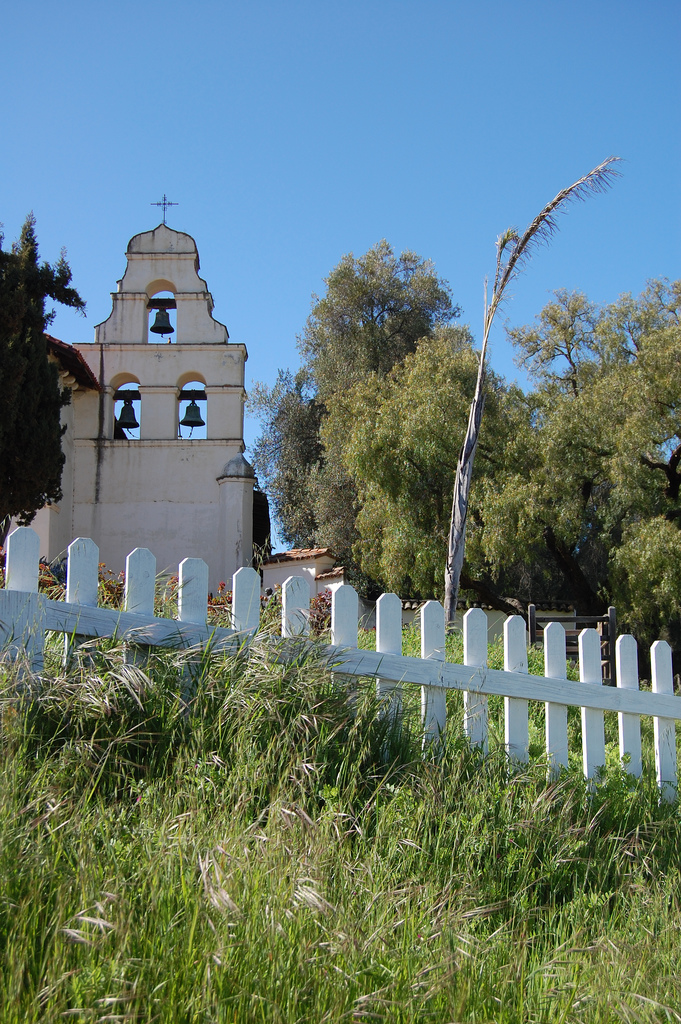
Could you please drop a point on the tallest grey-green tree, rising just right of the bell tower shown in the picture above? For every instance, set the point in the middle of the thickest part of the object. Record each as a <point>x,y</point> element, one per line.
<point>375,310</point>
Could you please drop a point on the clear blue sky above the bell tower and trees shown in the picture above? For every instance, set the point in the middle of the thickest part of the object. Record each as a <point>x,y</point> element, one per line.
<point>294,133</point>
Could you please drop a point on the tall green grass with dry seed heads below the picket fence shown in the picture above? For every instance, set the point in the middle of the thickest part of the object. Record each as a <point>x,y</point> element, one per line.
<point>266,847</point>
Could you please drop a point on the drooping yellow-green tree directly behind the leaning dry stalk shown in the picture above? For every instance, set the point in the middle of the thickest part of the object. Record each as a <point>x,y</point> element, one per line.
<point>400,437</point>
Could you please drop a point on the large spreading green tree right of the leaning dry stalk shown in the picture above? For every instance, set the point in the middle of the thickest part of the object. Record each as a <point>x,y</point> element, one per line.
<point>592,485</point>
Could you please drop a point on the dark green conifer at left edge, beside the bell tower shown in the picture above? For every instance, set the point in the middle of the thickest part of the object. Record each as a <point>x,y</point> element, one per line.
<point>31,458</point>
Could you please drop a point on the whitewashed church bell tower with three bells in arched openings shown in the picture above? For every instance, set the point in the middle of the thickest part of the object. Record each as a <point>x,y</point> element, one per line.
<point>152,488</point>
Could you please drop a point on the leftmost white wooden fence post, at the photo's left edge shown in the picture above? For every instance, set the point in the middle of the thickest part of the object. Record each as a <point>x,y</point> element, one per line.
<point>21,616</point>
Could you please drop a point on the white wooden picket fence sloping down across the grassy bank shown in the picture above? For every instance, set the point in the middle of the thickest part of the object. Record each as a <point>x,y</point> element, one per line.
<point>26,616</point>
